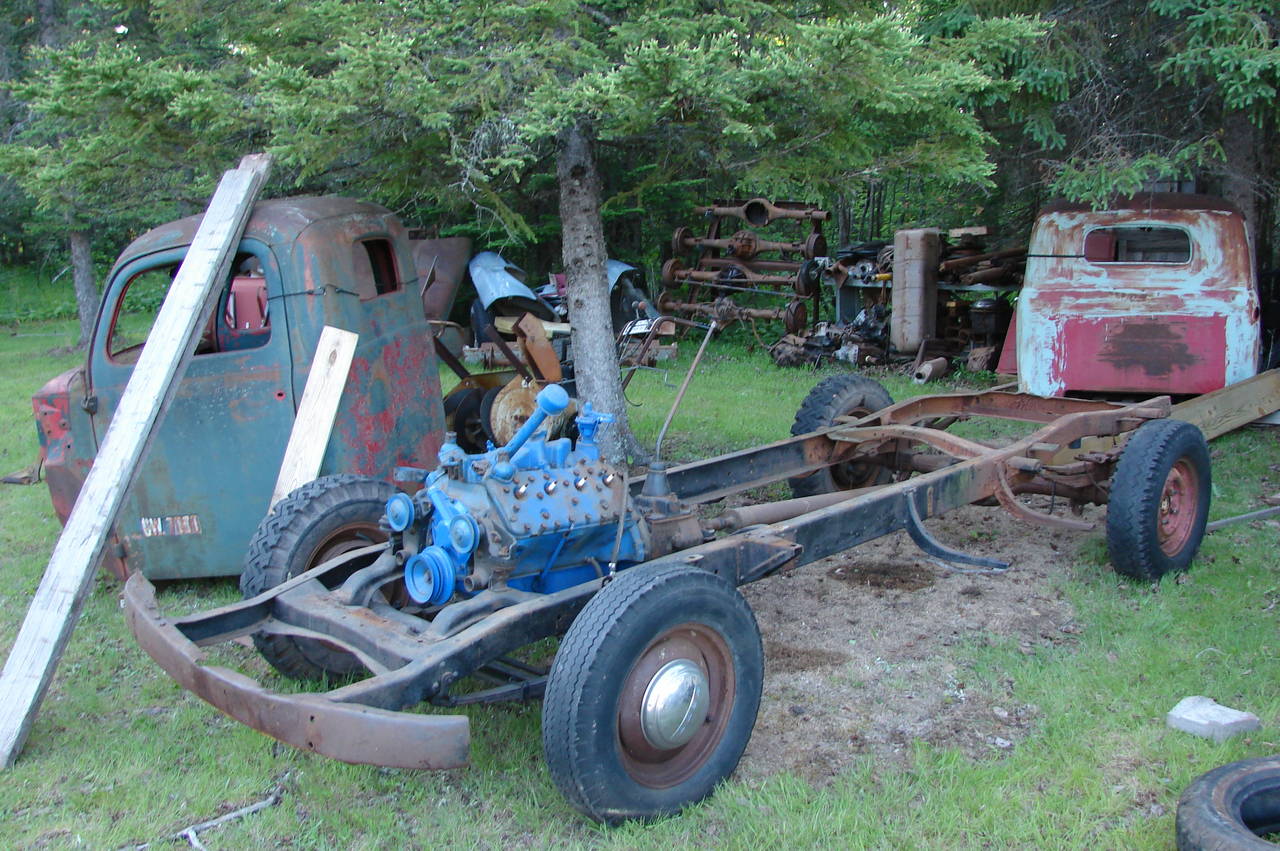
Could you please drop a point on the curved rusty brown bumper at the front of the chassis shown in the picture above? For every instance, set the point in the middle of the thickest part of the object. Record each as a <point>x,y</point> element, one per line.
<point>344,731</point>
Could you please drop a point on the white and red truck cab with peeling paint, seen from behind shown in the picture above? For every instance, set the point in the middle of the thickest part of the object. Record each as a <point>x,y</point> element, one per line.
<point>1136,326</point>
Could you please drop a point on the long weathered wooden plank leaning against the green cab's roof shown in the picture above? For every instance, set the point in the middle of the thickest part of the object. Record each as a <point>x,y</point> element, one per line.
<point>70,575</point>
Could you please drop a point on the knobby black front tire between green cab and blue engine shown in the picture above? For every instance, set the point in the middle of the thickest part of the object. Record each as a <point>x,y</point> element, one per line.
<point>314,523</point>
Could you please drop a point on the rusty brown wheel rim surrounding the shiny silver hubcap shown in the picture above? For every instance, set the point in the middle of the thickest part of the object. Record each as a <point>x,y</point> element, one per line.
<point>707,652</point>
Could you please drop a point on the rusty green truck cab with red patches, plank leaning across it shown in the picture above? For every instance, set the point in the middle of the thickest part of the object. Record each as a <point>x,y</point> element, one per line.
<point>208,478</point>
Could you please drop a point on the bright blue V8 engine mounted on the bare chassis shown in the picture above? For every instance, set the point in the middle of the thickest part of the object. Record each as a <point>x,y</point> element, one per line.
<point>536,515</point>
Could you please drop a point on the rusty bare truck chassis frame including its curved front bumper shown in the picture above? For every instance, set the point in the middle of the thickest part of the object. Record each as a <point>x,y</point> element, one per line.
<point>414,660</point>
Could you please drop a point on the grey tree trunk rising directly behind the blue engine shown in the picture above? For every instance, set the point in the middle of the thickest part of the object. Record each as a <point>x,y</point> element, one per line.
<point>596,363</point>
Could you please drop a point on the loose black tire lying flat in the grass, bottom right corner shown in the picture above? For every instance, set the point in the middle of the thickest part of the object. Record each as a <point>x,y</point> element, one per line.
<point>1233,807</point>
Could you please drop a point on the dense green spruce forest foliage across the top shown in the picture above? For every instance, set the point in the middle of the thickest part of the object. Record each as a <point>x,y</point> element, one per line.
<point>120,115</point>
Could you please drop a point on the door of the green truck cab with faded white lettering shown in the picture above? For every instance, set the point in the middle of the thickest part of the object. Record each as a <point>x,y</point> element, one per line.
<point>209,473</point>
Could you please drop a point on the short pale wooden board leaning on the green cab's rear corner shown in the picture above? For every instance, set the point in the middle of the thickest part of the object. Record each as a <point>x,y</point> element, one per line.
<point>319,406</point>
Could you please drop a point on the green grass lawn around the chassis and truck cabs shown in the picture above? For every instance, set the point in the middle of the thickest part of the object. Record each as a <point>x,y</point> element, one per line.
<point>122,756</point>
